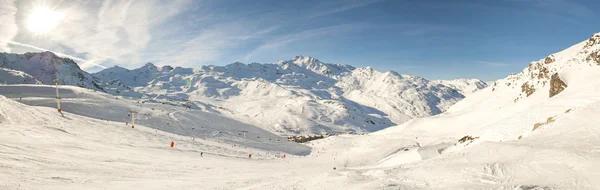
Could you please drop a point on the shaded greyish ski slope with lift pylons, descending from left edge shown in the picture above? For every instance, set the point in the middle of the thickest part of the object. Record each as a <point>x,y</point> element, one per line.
<point>192,123</point>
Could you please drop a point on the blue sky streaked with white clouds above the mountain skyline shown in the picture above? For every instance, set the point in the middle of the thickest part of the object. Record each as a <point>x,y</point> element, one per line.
<point>435,39</point>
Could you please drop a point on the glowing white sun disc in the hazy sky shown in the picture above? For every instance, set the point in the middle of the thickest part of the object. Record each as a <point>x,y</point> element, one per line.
<point>43,20</point>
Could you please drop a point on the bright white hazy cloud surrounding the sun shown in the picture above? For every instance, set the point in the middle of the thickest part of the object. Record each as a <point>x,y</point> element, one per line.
<point>116,31</point>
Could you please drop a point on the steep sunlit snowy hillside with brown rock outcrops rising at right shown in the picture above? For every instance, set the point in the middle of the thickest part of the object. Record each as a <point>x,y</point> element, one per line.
<point>534,129</point>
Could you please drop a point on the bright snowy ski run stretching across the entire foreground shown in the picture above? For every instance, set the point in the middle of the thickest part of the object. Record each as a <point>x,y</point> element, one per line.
<point>42,150</point>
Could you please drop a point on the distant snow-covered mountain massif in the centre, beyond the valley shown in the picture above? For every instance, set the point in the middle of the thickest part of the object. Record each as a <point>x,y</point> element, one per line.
<point>301,95</point>
